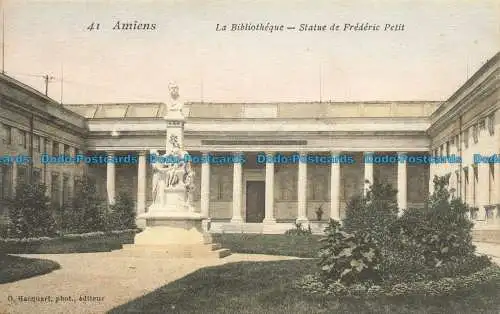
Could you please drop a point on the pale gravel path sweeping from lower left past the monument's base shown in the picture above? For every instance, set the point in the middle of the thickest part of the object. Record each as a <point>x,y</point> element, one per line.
<point>98,282</point>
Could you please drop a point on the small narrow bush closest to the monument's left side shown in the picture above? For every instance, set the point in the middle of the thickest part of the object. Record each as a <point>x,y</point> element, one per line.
<point>122,215</point>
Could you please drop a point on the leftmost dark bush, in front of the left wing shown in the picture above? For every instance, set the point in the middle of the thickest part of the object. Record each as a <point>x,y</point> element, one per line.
<point>30,214</point>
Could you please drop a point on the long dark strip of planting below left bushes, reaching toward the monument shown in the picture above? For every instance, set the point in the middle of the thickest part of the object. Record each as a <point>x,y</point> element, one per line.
<point>70,243</point>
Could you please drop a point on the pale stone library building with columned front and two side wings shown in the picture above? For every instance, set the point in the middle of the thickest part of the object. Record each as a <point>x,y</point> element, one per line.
<point>260,196</point>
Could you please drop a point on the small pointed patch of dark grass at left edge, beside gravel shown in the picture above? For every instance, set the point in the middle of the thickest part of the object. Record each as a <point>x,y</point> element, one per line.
<point>14,268</point>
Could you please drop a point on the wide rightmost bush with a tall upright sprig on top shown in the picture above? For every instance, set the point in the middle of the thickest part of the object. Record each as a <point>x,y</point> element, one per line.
<point>441,231</point>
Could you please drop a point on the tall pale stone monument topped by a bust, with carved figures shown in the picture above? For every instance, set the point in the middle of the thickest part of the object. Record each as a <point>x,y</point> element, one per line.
<point>173,228</point>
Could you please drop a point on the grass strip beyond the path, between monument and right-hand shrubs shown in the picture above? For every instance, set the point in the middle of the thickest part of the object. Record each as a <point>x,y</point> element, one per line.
<point>271,244</point>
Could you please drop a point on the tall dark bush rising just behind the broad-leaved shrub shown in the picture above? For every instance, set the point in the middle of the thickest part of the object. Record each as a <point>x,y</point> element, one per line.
<point>374,213</point>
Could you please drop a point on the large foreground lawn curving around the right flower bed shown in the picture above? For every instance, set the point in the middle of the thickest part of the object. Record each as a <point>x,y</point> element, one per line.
<point>269,287</point>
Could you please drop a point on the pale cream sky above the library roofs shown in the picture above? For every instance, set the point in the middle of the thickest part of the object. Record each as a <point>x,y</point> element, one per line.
<point>442,44</point>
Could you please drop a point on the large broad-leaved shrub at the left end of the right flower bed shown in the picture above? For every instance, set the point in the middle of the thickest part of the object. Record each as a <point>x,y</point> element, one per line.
<point>348,257</point>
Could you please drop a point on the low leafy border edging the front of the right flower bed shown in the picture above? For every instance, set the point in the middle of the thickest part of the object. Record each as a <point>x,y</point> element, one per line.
<point>489,276</point>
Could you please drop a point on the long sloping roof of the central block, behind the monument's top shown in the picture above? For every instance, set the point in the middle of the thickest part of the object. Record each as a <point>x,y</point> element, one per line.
<point>284,110</point>
